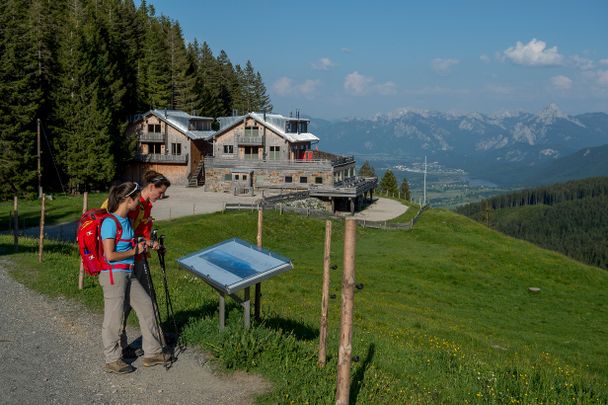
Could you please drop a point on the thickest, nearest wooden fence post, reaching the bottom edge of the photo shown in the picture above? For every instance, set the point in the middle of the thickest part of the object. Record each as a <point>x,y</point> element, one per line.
<point>346,322</point>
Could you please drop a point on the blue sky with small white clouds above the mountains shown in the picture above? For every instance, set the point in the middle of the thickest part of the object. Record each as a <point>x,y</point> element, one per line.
<point>333,59</point>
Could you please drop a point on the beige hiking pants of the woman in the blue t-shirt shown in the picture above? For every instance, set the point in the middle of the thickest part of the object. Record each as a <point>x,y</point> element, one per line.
<point>126,289</point>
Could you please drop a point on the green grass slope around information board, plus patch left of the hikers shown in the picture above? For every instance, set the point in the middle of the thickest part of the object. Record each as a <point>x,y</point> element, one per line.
<point>444,316</point>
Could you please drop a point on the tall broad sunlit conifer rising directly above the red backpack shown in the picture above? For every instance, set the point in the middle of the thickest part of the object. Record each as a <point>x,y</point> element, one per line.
<point>88,94</point>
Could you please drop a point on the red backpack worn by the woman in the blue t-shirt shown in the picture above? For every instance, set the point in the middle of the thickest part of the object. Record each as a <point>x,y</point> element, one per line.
<point>90,245</point>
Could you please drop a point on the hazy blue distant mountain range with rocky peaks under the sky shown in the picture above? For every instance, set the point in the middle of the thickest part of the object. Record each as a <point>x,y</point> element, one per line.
<point>511,148</point>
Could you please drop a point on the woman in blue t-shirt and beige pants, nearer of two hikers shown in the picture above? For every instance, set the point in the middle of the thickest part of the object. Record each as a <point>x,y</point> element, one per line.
<point>119,285</point>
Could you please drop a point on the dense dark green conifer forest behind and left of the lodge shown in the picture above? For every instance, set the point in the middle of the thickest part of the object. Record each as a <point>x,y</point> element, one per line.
<point>84,68</point>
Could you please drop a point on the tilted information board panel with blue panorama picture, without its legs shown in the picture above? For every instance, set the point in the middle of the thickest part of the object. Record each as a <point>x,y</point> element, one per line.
<point>234,264</point>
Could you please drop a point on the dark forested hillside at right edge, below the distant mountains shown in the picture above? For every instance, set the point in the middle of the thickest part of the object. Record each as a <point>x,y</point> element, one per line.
<point>571,218</point>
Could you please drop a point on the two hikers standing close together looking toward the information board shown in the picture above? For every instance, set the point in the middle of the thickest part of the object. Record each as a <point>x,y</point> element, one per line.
<point>125,283</point>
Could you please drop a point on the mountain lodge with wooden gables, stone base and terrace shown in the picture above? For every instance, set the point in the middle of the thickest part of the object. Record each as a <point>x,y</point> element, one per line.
<point>248,153</point>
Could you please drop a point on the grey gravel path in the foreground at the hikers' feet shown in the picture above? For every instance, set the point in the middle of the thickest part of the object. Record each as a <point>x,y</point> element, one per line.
<point>50,353</point>
